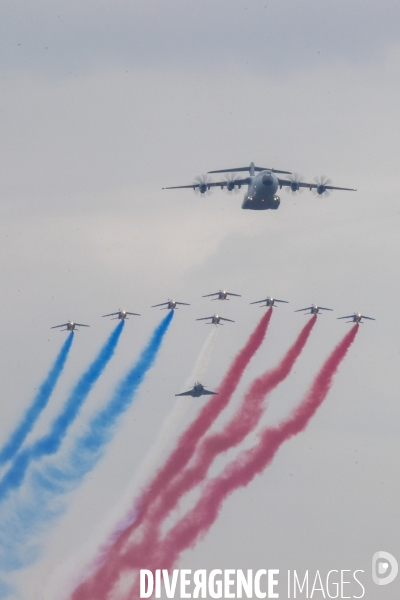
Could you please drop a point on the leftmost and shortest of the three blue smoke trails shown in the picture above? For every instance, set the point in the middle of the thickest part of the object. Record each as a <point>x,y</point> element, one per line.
<point>39,403</point>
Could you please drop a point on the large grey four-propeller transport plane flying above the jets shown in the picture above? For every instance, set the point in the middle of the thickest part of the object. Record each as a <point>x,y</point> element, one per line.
<point>263,185</point>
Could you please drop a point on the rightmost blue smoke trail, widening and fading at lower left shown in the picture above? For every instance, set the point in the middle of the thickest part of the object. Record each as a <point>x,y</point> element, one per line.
<point>23,518</point>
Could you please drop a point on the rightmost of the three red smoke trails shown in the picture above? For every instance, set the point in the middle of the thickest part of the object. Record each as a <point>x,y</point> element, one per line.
<point>249,463</point>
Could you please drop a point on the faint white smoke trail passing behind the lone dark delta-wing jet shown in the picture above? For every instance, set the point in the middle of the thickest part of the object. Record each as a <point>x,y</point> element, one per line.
<point>58,584</point>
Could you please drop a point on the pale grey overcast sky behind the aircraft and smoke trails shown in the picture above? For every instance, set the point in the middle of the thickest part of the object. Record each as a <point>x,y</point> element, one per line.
<point>103,104</point>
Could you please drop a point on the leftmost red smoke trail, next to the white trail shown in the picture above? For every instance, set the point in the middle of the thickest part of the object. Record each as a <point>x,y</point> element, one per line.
<point>99,584</point>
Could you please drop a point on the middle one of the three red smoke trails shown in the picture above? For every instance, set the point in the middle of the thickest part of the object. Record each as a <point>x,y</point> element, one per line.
<point>243,422</point>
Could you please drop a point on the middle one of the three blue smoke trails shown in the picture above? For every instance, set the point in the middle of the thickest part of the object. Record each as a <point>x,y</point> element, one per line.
<point>50,443</point>
